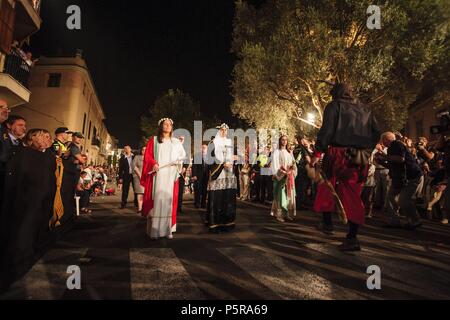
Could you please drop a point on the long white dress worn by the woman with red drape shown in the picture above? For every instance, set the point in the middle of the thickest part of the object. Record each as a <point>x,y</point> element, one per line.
<point>159,223</point>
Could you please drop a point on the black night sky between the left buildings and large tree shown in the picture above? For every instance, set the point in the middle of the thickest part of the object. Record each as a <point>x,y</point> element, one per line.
<point>137,50</point>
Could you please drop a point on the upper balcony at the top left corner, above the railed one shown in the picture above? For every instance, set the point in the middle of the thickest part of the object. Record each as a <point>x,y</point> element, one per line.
<point>28,20</point>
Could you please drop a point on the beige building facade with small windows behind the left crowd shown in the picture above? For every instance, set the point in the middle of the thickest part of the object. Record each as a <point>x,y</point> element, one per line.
<point>67,105</point>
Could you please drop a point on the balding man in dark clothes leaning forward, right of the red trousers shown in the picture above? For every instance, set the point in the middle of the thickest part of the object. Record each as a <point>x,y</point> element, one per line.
<point>406,176</point>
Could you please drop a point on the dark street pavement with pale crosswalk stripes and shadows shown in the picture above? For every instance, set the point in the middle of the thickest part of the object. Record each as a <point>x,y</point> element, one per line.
<point>261,259</point>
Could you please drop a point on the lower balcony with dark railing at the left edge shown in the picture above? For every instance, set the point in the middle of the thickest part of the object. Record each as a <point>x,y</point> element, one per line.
<point>14,80</point>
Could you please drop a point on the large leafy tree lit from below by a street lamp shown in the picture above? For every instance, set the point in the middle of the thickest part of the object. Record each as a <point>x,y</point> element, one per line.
<point>288,50</point>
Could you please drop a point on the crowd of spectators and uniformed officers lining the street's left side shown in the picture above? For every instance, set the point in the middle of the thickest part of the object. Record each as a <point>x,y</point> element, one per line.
<point>40,181</point>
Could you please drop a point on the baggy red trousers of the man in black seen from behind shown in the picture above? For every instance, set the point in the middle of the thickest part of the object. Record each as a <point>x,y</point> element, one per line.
<point>347,181</point>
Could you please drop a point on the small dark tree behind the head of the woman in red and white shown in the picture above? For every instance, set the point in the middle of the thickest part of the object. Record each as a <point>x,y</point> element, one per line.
<point>174,104</point>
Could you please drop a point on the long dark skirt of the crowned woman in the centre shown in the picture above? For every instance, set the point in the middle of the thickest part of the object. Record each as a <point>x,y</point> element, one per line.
<point>221,214</point>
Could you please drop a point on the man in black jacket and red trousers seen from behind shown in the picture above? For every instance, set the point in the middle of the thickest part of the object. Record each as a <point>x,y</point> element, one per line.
<point>349,128</point>
